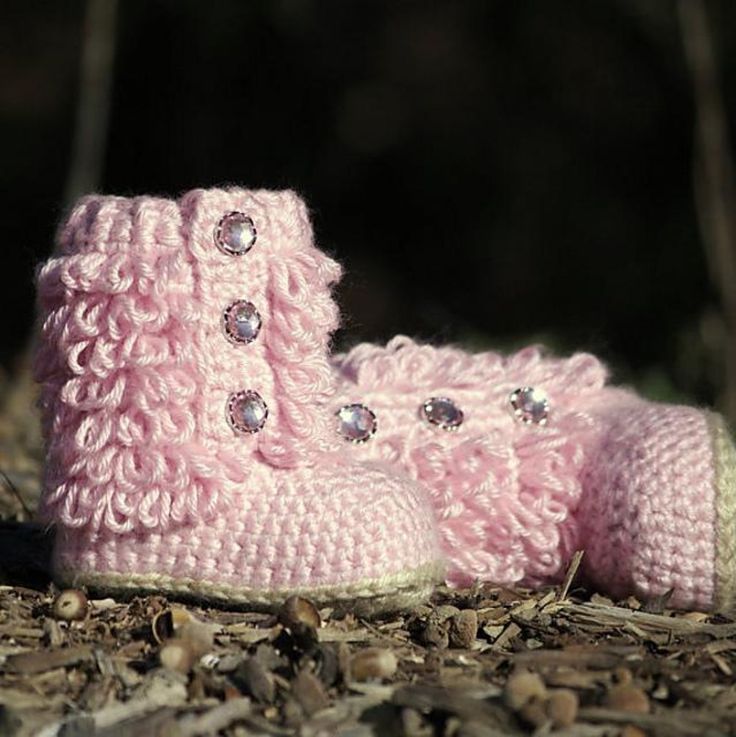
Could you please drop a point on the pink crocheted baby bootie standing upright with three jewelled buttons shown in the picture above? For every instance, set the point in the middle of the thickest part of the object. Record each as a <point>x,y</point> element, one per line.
<point>185,378</point>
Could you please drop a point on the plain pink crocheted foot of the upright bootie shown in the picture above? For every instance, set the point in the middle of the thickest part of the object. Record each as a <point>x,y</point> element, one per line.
<point>320,532</point>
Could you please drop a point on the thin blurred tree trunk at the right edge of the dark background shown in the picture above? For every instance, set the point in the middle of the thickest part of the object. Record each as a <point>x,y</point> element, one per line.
<point>715,194</point>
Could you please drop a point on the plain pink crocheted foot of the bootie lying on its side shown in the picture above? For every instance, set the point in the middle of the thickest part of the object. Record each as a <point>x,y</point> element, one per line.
<point>648,519</point>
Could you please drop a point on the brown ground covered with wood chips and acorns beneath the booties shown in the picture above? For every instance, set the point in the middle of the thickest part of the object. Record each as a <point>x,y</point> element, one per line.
<point>480,662</point>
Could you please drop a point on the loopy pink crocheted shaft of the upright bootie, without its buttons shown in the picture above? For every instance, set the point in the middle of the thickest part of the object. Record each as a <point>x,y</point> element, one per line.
<point>134,385</point>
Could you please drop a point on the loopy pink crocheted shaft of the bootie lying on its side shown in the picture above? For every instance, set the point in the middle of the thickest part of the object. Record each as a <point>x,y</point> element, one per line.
<point>504,492</point>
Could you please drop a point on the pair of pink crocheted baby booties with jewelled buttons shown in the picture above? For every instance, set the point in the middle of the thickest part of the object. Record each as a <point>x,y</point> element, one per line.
<point>202,442</point>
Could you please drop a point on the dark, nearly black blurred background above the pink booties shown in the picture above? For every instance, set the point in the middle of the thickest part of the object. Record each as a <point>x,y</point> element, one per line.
<point>489,172</point>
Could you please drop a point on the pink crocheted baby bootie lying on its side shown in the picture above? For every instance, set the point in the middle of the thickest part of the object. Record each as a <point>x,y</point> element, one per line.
<point>528,458</point>
